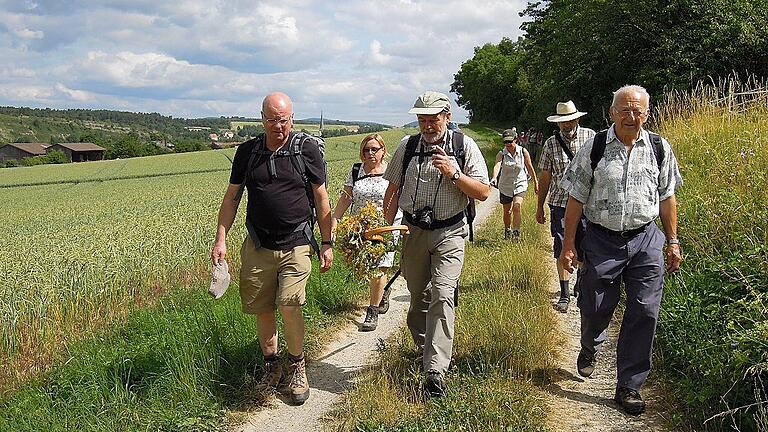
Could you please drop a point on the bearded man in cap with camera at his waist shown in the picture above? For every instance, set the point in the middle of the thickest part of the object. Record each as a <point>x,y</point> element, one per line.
<point>431,178</point>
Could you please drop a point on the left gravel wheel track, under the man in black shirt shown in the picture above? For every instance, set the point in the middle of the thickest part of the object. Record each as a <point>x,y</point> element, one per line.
<point>333,372</point>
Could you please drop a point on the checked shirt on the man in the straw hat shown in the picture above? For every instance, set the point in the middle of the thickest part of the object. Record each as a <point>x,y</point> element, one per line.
<point>556,161</point>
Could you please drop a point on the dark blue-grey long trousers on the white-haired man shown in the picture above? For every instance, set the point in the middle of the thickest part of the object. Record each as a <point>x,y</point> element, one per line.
<point>639,263</point>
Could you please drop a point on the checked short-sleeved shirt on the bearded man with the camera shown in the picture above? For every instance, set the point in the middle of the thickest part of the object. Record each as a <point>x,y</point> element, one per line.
<point>434,189</point>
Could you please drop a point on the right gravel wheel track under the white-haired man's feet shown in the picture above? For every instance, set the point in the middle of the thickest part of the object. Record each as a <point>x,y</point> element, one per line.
<point>586,404</point>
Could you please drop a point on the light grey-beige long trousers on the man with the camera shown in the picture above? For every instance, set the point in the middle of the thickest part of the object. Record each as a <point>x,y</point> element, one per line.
<point>431,264</point>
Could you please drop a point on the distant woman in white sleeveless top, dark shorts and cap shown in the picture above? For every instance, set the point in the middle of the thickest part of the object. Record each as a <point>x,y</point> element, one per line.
<point>510,175</point>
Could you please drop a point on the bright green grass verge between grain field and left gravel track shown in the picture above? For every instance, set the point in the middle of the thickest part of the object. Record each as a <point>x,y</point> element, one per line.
<point>179,366</point>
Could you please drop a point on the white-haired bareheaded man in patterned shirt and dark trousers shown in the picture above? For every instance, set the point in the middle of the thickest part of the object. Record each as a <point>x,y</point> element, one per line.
<point>622,180</point>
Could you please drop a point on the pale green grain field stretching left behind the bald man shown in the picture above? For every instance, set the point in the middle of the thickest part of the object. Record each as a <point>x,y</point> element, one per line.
<point>79,257</point>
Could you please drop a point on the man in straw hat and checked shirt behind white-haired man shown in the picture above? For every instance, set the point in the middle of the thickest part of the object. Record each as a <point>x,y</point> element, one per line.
<point>558,151</point>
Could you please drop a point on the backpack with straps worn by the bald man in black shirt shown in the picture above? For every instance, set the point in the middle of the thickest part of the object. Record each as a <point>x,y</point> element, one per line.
<point>294,149</point>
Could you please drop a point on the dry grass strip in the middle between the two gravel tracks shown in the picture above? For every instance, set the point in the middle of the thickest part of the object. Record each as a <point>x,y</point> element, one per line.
<point>503,343</point>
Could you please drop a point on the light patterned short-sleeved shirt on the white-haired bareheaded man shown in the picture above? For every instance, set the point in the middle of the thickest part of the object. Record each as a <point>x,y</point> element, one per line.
<point>627,187</point>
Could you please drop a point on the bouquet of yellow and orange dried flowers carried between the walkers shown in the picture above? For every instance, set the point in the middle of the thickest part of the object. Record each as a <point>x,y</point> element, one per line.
<point>361,254</point>
